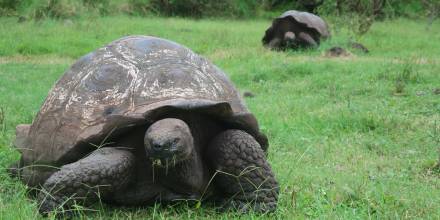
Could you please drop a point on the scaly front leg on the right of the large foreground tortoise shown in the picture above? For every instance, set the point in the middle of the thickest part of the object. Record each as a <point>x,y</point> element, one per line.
<point>243,173</point>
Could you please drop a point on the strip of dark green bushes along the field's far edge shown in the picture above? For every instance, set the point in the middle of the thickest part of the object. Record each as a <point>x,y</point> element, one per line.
<point>37,9</point>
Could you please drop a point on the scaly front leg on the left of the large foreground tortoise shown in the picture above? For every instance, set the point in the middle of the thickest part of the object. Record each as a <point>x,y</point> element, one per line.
<point>87,180</point>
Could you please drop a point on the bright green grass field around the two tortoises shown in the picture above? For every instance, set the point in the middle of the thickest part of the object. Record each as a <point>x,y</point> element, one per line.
<point>350,138</point>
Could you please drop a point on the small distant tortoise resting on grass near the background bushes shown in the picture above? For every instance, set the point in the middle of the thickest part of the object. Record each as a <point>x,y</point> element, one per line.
<point>295,29</point>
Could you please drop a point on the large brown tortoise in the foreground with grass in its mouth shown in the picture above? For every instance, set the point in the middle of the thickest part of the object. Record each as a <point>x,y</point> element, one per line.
<point>143,120</point>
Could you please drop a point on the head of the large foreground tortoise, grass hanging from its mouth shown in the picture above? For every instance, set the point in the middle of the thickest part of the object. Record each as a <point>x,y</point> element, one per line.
<point>168,142</point>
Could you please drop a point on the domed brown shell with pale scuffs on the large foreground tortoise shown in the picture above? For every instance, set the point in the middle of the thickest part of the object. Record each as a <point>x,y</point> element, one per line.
<point>126,83</point>
